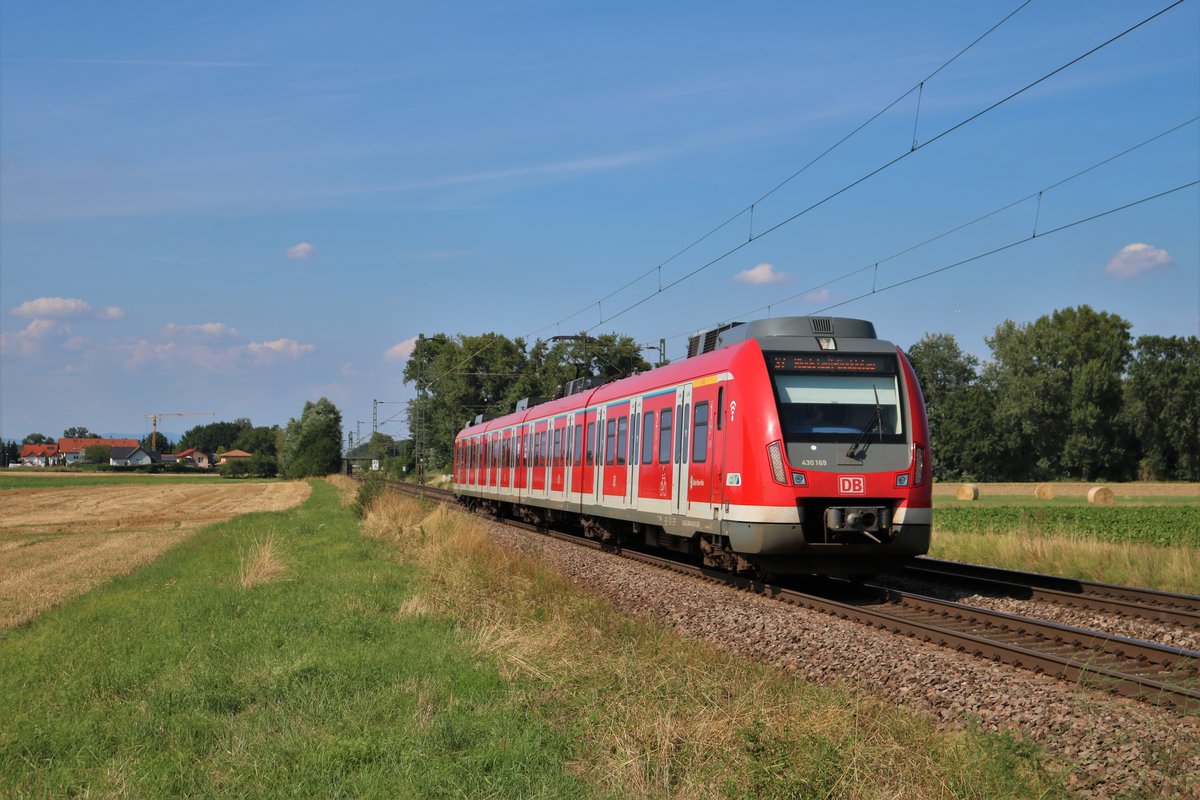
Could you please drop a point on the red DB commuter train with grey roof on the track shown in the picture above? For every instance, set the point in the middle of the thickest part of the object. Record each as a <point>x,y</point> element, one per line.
<point>787,446</point>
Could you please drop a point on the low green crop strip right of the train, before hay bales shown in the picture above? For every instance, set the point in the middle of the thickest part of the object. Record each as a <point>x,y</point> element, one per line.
<point>1161,526</point>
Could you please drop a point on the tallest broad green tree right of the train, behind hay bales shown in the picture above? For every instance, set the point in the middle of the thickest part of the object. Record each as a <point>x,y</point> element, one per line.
<point>1058,384</point>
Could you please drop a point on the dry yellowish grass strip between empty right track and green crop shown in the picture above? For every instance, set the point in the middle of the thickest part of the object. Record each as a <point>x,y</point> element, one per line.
<point>1169,569</point>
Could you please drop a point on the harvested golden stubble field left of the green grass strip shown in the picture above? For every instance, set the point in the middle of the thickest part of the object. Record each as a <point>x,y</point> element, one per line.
<point>59,543</point>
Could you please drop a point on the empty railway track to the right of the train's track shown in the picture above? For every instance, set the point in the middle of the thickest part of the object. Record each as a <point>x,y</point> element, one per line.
<point>1124,601</point>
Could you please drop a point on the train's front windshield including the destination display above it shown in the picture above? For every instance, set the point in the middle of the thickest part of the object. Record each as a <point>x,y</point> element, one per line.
<point>826,398</point>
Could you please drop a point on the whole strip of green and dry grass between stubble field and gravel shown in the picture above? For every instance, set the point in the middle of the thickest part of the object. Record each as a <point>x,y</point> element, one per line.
<point>289,654</point>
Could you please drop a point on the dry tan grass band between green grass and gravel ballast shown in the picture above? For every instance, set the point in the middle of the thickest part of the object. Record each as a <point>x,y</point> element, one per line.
<point>663,717</point>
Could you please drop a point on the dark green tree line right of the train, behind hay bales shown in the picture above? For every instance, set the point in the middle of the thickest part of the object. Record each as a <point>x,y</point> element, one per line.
<point>1070,396</point>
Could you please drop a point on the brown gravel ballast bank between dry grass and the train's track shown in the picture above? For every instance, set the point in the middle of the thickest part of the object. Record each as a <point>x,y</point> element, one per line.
<point>1109,747</point>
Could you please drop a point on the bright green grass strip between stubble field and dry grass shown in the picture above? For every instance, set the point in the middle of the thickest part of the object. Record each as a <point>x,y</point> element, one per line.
<point>179,682</point>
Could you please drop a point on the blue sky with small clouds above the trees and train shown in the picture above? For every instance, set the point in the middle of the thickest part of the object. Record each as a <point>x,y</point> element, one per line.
<point>238,208</point>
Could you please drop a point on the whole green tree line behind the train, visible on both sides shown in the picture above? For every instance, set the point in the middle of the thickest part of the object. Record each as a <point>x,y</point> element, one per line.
<point>1070,396</point>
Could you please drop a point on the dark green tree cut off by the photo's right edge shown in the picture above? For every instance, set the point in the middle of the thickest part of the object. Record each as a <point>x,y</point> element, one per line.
<point>1163,406</point>
